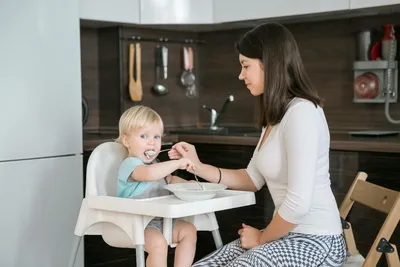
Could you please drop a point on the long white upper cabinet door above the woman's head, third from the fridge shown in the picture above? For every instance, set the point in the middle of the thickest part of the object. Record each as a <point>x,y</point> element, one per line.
<point>238,10</point>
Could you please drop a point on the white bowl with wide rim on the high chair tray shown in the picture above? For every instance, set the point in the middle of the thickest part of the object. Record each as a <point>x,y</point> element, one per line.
<point>192,191</point>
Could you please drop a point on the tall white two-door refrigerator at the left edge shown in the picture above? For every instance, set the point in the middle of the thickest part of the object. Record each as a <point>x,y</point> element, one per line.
<point>41,179</point>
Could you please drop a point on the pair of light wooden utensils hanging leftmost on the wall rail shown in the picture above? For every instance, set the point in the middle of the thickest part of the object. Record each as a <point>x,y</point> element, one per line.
<point>135,86</point>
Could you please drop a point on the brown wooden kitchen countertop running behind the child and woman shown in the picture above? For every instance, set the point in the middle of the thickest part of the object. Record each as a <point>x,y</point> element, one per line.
<point>339,141</point>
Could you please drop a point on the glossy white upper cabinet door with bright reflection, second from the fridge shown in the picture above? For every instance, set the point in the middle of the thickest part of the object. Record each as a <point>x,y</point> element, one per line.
<point>176,12</point>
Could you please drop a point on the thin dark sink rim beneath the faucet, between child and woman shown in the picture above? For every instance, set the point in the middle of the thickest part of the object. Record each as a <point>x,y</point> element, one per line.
<point>226,131</point>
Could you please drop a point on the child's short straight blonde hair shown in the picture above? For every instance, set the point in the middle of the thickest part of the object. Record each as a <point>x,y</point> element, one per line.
<point>137,117</point>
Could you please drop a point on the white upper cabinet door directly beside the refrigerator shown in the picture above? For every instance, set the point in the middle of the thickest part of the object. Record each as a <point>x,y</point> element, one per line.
<point>123,11</point>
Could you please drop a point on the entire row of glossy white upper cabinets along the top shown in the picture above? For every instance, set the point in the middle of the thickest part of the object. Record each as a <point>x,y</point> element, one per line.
<point>153,12</point>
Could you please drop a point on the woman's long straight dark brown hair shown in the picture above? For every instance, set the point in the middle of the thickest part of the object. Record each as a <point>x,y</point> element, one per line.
<point>284,73</point>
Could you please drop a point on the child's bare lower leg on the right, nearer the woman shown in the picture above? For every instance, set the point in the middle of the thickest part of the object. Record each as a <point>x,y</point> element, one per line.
<point>185,235</point>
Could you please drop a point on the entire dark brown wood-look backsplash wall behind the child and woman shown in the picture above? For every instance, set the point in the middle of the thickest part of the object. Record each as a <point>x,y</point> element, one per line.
<point>327,48</point>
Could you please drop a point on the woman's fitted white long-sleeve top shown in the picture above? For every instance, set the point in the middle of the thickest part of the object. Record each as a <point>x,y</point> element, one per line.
<point>294,164</point>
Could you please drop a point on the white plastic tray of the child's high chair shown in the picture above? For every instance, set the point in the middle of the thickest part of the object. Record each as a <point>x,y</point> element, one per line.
<point>172,207</point>
